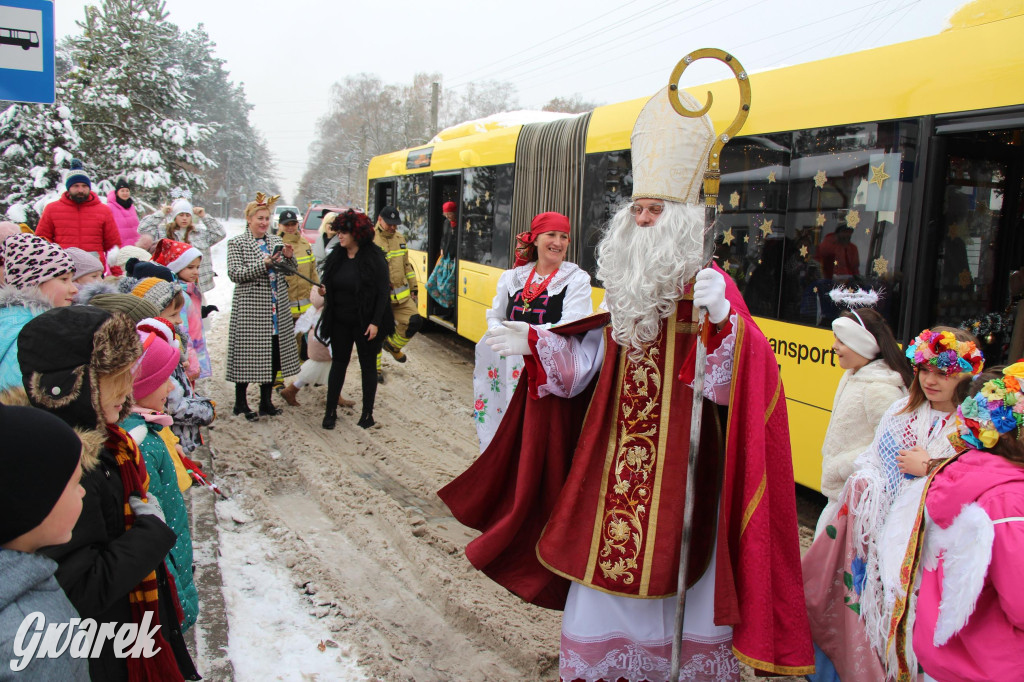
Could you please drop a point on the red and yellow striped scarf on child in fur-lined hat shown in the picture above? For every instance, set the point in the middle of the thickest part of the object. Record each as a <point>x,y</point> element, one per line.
<point>145,596</point>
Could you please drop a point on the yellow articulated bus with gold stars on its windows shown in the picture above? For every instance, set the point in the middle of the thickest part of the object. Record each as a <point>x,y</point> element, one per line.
<point>899,169</point>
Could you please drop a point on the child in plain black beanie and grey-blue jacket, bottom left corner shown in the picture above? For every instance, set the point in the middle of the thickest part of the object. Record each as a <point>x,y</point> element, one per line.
<point>40,501</point>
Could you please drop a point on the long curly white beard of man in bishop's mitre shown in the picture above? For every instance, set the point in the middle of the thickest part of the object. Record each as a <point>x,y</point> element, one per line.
<point>645,270</point>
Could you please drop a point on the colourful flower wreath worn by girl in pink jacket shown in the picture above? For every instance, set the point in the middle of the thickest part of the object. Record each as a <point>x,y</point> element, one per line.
<point>998,409</point>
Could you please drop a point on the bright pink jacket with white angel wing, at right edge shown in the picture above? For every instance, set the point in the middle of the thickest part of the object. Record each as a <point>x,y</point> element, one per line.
<point>991,645</point>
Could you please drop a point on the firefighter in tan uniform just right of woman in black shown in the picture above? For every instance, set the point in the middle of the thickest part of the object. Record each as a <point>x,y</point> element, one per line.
<point>404,287</point>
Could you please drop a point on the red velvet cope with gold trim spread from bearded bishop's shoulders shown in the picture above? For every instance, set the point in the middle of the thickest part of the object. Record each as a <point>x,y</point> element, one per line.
<point>513,489</point>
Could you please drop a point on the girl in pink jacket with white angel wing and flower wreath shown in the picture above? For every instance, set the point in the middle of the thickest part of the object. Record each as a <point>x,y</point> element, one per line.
<point>970,611</point>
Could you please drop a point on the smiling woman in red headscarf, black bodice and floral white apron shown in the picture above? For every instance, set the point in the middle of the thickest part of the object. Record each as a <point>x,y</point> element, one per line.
<point>543,290</point>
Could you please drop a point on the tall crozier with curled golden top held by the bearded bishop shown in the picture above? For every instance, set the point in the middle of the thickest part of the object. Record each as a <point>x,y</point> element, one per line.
<point>713,177</point>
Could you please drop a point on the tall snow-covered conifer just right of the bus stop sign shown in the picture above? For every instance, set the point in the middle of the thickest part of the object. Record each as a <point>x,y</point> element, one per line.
<point>126,97</point>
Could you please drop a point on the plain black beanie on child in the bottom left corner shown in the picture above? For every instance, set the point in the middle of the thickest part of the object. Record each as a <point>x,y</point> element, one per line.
<point>38,458</point>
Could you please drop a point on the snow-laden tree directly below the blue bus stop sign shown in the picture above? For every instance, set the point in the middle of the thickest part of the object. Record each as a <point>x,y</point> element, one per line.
<point>37,143</point>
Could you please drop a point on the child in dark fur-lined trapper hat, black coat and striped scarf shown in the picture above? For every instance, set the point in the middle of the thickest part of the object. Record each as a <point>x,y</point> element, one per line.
<point>77,364</point>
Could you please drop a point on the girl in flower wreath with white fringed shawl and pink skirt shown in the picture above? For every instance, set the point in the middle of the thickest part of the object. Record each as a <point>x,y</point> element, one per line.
<point>852,572</point>
